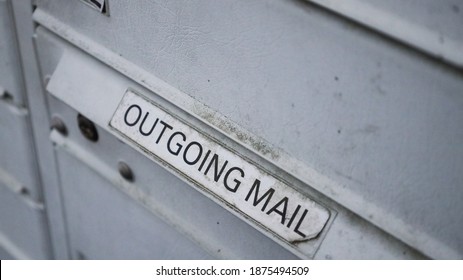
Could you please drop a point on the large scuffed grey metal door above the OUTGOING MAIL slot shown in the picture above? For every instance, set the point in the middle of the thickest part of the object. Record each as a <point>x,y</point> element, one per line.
<point>380,119</point>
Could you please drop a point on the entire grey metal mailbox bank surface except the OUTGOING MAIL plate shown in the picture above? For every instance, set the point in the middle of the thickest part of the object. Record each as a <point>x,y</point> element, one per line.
<point>356,104</point>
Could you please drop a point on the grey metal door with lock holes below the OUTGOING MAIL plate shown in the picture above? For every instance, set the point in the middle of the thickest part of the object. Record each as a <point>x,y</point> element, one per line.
<point>106,217</point>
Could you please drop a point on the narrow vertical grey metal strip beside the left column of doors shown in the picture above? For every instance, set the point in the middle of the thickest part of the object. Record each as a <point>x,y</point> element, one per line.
<point>40,122</point>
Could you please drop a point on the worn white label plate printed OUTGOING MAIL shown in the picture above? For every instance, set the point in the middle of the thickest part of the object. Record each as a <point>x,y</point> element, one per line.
<point>245,188</point>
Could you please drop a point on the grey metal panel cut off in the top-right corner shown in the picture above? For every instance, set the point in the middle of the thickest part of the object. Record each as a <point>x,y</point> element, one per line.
<point>426,26</point>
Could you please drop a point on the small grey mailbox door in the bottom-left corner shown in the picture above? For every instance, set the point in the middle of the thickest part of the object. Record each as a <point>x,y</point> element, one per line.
<point>23,231</point>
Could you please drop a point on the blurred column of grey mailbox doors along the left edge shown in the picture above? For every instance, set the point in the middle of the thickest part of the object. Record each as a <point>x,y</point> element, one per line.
<point>23,224</point>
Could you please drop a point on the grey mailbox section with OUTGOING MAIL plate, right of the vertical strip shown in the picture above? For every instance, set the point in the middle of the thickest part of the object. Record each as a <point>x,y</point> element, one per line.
<point>249,129</point>
